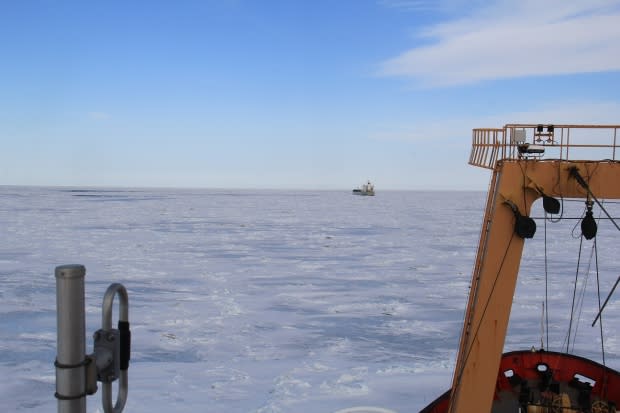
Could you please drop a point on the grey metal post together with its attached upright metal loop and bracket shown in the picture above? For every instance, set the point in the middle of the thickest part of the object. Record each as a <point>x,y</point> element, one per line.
<point>76,372</point>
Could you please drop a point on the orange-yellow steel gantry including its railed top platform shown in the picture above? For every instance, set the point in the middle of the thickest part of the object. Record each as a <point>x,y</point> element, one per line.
<point>527,161</point>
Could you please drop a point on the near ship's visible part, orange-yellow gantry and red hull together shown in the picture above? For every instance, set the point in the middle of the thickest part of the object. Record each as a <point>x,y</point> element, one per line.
<point>529,161</point>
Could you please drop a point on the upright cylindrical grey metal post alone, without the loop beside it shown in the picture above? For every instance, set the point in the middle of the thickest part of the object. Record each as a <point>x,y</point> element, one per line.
<point>71,356</point>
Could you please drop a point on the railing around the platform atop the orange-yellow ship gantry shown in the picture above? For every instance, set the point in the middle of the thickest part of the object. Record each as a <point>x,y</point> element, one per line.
<point>544,141</point>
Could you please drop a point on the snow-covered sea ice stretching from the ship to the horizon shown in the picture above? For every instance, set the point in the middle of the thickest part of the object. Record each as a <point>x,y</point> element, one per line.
<point>271,301</point>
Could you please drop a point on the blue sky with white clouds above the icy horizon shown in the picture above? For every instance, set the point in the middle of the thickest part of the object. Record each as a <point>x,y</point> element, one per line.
<point>291,93</point>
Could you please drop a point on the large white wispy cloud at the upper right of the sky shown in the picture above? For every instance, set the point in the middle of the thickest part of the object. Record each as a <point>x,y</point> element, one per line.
<point>515,38</point>
